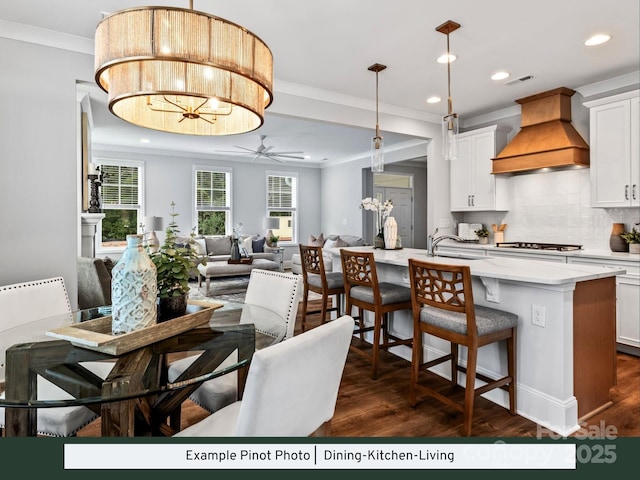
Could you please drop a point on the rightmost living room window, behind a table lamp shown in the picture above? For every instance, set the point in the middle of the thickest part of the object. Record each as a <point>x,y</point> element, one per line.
<point>282,202</point>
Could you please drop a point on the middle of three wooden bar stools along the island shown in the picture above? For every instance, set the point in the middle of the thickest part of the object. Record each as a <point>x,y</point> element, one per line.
<point>362,290</point>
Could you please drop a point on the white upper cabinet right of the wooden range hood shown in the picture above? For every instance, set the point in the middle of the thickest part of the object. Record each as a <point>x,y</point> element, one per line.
<point>615,150</point>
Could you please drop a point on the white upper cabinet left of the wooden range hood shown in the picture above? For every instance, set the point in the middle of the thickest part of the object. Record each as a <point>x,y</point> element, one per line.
<point>473,186</point>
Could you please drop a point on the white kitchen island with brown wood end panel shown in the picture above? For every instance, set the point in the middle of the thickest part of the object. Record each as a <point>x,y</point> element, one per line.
<point>566,355</point>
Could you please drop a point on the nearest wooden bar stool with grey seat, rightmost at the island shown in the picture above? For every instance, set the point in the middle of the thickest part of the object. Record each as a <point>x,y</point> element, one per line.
<point>442,303</point>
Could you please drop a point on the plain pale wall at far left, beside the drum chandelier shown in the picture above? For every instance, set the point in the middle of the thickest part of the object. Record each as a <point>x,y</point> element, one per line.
<point>39,175</point>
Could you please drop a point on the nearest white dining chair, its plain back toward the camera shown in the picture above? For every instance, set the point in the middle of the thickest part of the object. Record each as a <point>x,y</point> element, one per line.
<point>291,390</point>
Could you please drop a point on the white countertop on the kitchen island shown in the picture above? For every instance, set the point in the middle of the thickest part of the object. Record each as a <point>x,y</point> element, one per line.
<point>503,268</point>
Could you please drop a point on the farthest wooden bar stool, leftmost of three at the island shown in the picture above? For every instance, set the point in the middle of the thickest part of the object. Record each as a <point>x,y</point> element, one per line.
<point>317,279</point>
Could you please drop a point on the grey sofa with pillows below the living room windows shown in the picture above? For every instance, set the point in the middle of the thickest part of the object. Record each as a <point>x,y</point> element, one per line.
<point>217,248</point>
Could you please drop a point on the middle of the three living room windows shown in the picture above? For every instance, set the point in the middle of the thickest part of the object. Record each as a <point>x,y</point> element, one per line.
<point>213,201</point>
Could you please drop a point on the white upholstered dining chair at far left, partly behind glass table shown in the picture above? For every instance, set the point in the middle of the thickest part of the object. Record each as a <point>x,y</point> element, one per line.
<point>26,302</point>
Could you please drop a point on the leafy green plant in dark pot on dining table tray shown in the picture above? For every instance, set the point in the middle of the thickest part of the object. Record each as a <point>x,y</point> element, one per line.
<point>174,261</point>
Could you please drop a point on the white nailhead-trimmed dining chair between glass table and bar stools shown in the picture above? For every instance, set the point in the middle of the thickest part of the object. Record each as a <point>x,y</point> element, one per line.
<point>271,304</point>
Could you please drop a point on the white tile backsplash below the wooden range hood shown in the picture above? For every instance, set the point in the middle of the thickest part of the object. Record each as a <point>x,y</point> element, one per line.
<point>555,207</point>
